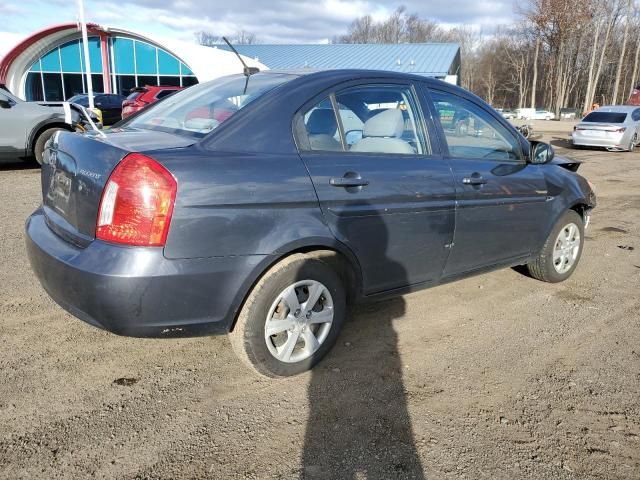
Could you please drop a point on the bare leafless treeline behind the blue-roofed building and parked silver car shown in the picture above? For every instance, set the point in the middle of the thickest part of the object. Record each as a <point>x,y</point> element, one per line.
<point>561,53</point>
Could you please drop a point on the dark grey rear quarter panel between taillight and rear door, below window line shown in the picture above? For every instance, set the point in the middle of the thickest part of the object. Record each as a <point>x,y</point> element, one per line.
<point>241,204</point>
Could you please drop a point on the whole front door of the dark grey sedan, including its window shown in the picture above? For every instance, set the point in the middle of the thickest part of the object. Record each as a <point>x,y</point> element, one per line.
<point>501,200</point>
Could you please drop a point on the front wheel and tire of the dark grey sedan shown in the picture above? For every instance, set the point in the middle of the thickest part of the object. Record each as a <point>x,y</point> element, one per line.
<point>561,251</point>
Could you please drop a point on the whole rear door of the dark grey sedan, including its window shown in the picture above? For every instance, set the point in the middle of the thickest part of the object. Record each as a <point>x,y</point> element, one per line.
<point>382,191</point>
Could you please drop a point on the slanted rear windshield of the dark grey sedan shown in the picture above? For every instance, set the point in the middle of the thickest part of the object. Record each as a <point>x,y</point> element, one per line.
<point>199,109</point>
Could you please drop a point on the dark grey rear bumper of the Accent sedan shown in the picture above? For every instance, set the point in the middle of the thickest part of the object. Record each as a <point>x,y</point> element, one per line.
<point>136,291</point>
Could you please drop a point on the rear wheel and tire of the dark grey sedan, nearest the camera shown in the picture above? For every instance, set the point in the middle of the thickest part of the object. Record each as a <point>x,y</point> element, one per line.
<point>288,351</point>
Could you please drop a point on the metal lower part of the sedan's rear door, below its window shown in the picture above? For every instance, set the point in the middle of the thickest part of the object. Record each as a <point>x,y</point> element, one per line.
<point>399,225</point>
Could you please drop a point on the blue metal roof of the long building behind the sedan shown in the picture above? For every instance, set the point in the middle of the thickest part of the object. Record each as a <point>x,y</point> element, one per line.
<point>429,59</point>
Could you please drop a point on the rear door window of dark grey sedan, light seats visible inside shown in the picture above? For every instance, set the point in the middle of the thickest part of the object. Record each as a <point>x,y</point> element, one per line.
<point>380,119</point>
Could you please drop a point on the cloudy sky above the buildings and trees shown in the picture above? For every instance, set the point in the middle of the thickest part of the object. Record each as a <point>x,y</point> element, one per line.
<point>272,21</point>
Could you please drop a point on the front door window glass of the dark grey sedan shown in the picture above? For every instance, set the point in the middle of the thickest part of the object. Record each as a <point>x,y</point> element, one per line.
<point>471,131</point>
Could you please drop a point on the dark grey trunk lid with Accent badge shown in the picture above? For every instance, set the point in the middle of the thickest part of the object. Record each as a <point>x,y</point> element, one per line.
<point>76,169</point>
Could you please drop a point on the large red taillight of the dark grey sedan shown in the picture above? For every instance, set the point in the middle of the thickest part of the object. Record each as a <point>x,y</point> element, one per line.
<point>137,203</point>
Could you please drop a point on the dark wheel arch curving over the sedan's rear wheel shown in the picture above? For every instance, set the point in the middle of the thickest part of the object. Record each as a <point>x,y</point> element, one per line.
<point>338,255</point>
